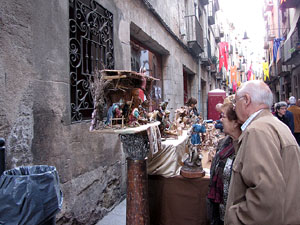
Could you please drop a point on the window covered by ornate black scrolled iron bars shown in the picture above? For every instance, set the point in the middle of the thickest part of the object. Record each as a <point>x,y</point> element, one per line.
<point>90,49</point>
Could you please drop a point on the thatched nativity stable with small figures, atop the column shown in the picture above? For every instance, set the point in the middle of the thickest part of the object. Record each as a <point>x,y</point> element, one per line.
<point>117,97</point>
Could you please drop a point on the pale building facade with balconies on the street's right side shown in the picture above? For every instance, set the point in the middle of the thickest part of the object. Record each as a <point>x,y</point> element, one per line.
<point>282,21</point>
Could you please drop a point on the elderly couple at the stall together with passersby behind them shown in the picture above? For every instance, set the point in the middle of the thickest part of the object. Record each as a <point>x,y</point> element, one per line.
<point>255,172</point>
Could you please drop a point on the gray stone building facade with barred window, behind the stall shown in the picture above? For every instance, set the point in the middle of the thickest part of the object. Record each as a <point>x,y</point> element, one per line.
<point>49,50</point>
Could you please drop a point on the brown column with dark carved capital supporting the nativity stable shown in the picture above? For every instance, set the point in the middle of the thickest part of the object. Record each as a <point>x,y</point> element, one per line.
<point>136,148</point>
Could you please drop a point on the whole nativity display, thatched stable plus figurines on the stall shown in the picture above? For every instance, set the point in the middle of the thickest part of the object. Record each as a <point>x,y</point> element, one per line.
<point>122,99</point>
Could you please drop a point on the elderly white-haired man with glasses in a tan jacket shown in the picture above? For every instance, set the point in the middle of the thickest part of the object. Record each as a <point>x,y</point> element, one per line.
<point>265,182</point>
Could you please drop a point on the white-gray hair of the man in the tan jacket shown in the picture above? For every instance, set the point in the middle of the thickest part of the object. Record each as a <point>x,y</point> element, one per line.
<point>259,92</point>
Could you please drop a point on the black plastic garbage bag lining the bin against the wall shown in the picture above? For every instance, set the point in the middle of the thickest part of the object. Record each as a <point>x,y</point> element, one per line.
<point>29,195</point>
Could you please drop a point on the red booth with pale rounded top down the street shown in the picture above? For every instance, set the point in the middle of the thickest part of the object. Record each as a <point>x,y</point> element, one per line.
<point>214,97</point>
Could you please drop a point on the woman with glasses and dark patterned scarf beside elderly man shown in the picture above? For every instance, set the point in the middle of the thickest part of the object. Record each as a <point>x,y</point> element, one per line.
<point>220,171</point>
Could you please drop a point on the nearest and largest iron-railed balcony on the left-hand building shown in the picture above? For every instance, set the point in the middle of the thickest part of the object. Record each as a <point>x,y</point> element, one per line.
<point>194,34</point>
